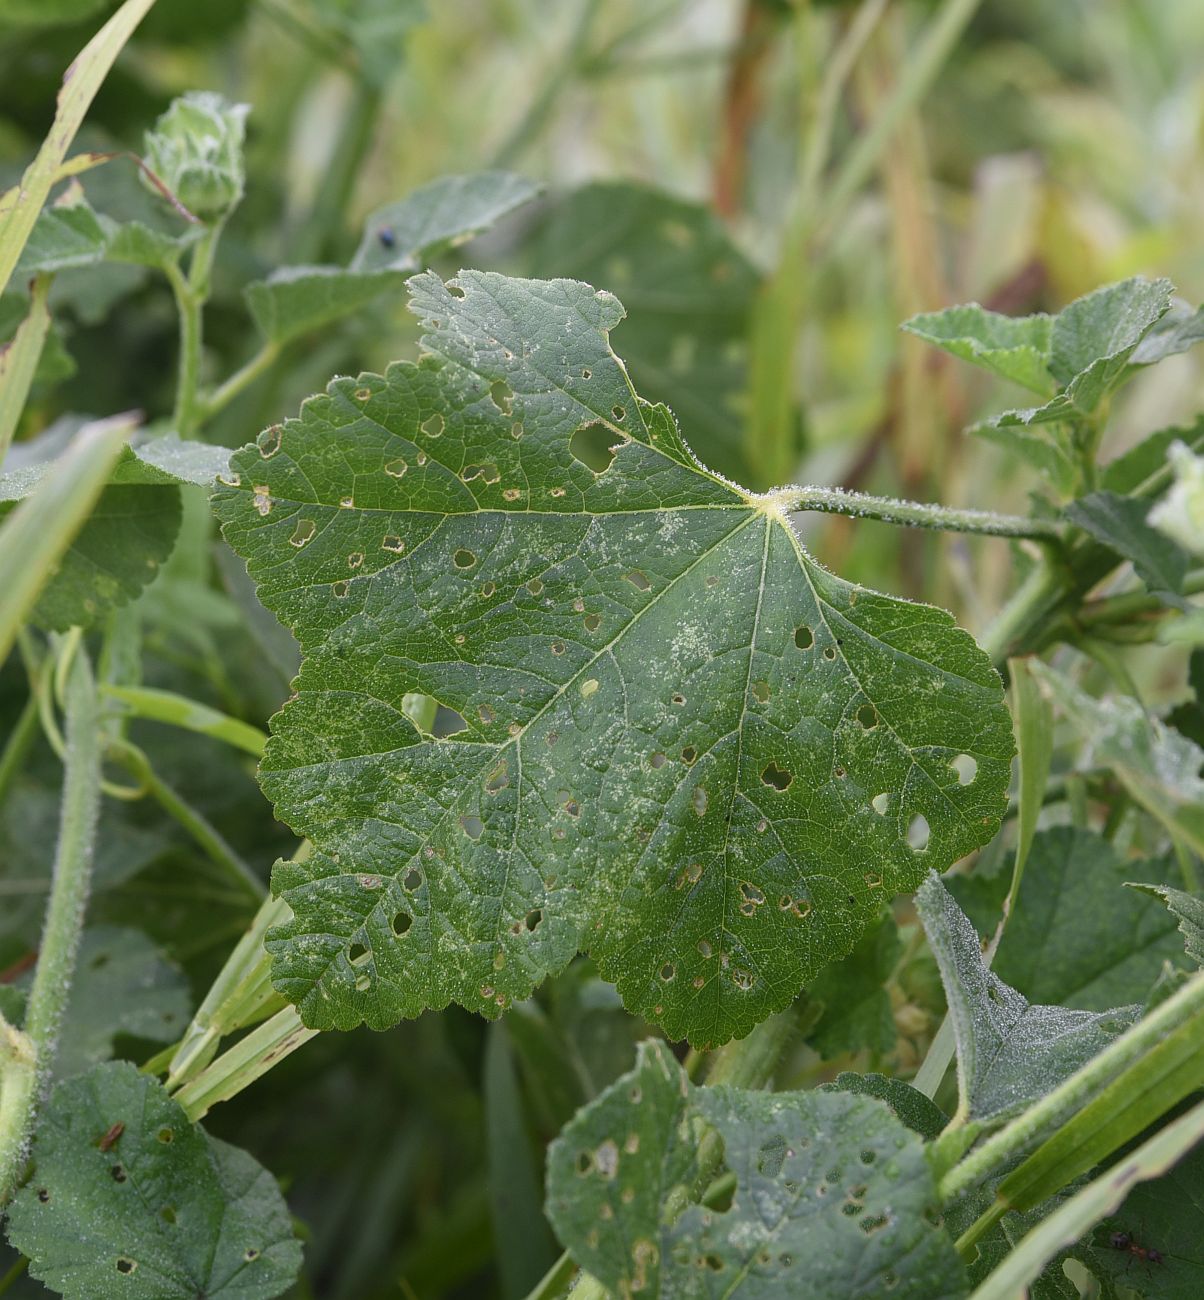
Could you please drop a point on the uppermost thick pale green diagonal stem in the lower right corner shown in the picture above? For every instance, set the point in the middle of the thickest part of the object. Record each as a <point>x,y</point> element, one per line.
<point>1073,1094</point>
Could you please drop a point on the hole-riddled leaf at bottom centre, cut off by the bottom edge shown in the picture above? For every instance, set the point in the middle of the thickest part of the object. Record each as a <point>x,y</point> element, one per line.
<point>834,1195</point>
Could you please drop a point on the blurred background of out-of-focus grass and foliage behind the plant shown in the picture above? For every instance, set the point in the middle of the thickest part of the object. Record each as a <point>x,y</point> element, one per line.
<point>1055,148</point>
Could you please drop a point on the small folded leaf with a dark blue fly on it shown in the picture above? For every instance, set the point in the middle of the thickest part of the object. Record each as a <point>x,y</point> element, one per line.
<point>399,239</point>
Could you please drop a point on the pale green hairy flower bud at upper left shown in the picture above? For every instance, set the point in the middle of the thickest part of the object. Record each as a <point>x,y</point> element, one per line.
<point>197,150</point>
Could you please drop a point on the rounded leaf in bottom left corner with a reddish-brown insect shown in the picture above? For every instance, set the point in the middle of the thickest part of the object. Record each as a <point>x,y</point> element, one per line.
<point>162,1212</point>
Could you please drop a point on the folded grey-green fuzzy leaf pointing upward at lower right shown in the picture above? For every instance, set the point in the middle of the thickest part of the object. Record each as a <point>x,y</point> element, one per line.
<point>1010,1052</point>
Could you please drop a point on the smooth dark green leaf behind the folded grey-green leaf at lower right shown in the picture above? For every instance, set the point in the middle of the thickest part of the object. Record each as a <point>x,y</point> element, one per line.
<point>1076,938</point>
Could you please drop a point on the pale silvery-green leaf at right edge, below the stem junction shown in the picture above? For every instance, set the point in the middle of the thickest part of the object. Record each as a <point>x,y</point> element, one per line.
<point>1158,766</point>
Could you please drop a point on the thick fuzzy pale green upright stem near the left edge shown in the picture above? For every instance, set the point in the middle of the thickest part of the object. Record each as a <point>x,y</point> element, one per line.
<point>27,1058</point>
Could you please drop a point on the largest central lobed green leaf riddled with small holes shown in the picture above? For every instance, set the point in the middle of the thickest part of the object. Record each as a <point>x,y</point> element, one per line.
<point>666,733</point>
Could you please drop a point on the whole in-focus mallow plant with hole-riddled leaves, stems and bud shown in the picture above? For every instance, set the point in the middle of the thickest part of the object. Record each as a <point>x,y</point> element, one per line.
<point>564,690</point>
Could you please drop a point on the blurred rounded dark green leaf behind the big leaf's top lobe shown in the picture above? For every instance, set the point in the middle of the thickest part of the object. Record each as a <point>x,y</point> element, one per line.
<point>690,292</point>
